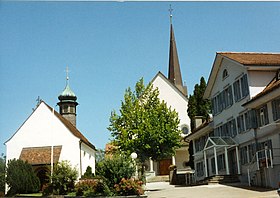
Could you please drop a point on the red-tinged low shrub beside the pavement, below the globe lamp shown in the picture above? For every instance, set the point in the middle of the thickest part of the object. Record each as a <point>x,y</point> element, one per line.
<point>129,187</point>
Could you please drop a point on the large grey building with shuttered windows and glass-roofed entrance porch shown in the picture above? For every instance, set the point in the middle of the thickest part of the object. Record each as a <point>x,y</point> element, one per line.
<point>244,136</point>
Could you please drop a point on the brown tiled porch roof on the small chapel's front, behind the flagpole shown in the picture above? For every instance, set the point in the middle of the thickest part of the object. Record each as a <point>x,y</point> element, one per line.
<point>40,155</point>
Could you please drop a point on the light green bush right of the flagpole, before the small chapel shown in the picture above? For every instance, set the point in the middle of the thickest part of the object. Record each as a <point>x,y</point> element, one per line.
<point>63,179</point>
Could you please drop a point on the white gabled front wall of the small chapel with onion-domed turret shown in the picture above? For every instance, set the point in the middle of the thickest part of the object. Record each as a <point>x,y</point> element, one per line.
<point>43,128</point>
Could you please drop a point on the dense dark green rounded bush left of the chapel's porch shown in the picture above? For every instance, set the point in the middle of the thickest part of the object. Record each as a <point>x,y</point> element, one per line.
<point>21,178</point>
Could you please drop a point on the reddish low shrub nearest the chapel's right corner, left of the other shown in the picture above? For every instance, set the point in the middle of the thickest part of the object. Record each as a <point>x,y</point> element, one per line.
<point>92,188</point>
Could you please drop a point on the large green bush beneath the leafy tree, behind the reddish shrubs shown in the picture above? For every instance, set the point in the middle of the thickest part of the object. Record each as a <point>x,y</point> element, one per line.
<point>114,169</point>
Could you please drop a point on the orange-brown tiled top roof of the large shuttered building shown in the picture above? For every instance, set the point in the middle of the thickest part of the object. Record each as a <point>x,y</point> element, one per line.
<point>253,58</point>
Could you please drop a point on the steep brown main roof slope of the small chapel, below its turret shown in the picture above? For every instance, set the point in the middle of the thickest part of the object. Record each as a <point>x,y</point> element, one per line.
<point>72,128</point>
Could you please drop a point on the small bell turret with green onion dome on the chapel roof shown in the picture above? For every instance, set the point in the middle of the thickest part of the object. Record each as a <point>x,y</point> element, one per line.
<point>67,103</point>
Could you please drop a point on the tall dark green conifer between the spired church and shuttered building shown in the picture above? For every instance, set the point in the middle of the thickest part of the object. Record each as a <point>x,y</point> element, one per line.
<point>198,106</point>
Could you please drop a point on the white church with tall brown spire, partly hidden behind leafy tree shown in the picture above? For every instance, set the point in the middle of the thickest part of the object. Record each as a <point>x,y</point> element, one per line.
<point>174,93</point>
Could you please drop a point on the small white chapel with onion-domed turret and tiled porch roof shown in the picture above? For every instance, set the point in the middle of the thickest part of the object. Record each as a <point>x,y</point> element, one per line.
<point>47,137</point>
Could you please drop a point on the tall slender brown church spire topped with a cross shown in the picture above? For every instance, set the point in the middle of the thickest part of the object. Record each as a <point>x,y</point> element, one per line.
<point>174,72</point>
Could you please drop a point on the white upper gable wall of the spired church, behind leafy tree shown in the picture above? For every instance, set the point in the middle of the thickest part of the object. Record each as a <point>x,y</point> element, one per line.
<point>173,99</point>
